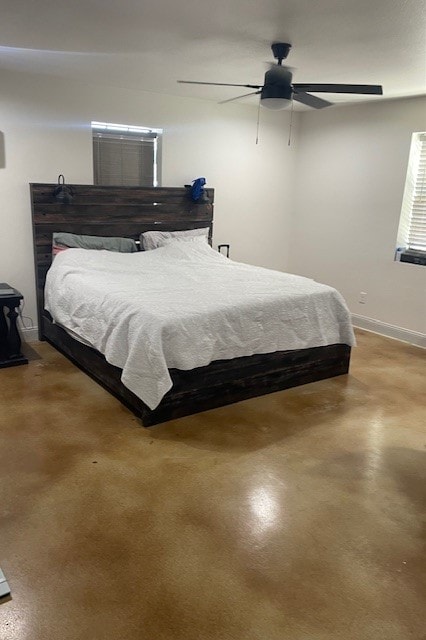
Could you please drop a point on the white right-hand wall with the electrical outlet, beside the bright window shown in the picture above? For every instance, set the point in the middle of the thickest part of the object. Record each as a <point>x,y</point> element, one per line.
<point>351,167</point>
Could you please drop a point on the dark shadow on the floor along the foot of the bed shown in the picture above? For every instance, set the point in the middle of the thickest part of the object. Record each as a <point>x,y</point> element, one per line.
<point>259,422</point>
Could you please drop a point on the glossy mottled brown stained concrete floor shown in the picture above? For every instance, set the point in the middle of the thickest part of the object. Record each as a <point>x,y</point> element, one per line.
<point>295,516</point>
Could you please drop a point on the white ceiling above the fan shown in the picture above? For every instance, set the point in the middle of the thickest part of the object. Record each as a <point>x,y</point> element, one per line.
<point>148,45</point>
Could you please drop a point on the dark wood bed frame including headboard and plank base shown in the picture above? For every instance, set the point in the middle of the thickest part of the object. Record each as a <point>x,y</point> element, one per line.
<point>127,212</point>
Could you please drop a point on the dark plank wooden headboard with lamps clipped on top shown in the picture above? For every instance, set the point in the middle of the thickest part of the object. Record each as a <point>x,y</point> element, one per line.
<point>109,211</point>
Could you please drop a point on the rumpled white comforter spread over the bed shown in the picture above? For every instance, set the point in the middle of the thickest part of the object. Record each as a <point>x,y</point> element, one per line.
<point>183,306</point>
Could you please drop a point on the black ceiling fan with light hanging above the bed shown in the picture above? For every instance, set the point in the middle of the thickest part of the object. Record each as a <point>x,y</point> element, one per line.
<point>277,91</point>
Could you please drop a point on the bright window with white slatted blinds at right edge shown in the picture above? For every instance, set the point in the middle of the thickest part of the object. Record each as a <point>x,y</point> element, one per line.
<point>412,226</point>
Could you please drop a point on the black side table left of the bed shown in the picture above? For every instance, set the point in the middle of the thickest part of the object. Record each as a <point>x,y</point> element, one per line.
<point>10,341</point>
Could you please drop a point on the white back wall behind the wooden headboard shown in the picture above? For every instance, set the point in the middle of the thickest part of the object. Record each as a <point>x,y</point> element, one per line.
<point>45,123</point>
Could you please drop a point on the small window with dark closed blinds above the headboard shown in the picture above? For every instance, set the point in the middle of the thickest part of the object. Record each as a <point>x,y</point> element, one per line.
<point>126,155</point>
